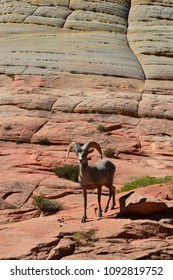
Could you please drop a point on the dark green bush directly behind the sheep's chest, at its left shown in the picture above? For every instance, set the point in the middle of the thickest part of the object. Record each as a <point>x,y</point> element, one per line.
<point>69,172</point>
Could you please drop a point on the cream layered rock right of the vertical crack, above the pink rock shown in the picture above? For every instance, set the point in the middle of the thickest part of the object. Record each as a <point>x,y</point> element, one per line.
<point>150,35</point>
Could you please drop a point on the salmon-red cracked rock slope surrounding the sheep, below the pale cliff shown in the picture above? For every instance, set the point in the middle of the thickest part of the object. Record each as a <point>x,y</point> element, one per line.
<point>39,116</point>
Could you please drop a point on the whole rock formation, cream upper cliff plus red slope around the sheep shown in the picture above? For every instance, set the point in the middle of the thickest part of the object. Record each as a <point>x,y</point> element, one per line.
<point>67,67</point>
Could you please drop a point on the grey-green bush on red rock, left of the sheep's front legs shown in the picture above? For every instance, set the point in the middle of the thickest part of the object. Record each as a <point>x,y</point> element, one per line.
<point>46,205</point>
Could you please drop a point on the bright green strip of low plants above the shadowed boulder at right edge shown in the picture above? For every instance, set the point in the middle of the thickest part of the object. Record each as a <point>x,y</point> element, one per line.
<point>145,181</point>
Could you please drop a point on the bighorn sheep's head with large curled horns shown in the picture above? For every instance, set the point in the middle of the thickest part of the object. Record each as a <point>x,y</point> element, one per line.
<point>83,151</point>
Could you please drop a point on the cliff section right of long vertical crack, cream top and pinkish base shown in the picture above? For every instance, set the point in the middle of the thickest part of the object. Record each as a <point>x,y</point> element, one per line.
<point>150,36</point>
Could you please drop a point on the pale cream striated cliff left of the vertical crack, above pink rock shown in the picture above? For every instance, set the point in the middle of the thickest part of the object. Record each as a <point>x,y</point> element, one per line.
<point>49,37</point>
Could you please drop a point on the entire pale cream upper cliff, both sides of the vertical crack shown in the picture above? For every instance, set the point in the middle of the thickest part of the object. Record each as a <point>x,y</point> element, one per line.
<point>88,37</point>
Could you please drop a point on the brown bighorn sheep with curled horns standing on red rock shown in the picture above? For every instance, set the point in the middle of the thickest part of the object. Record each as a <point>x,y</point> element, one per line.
<point>93,176</point>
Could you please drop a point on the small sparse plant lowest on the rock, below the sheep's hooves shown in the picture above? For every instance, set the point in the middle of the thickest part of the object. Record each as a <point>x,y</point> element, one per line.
<point>85,238</point>
